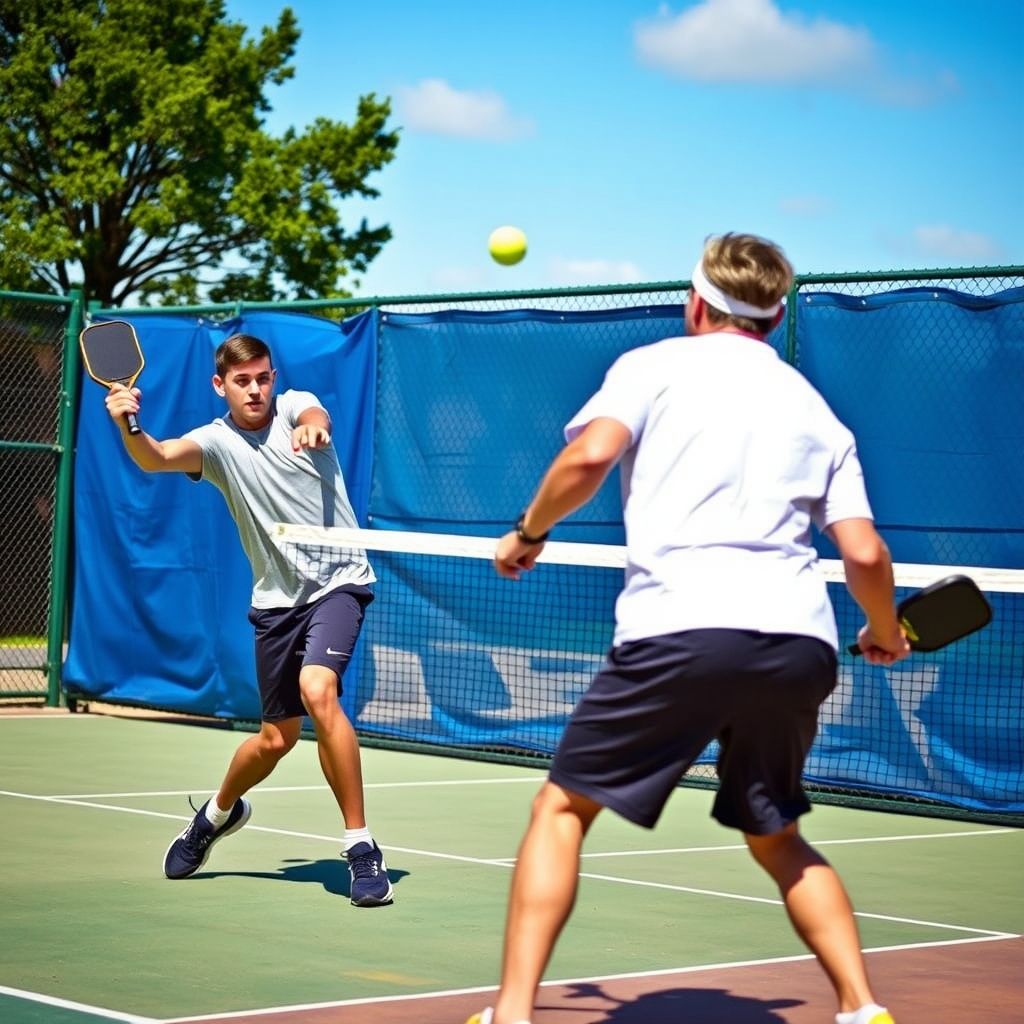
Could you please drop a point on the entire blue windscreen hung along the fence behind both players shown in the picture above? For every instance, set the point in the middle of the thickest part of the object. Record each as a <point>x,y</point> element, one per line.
<point>445,424</point>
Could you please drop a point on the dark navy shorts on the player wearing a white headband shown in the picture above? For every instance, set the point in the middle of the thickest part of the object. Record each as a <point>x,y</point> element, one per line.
<point>656,705</point>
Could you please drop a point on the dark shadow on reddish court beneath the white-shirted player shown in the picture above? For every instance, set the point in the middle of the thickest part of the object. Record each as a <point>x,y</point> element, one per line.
<point>669,1006</point>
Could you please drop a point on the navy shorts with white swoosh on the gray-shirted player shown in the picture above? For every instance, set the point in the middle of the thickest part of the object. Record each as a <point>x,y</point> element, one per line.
<point>321,633</point>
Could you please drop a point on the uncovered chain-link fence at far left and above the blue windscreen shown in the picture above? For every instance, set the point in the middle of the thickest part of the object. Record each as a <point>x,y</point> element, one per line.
<point>39,359</point>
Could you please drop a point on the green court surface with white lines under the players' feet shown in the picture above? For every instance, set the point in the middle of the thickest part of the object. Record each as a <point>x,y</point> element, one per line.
<point>91,930</point>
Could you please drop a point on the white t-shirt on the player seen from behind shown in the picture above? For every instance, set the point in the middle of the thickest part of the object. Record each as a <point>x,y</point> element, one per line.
<point>735,456</point>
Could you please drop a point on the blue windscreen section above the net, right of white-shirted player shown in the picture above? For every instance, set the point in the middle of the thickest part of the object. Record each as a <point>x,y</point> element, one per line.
<point>931,383</point>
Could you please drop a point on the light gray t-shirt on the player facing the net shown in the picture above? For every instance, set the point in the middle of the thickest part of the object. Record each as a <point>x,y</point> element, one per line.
<point>264,483</point>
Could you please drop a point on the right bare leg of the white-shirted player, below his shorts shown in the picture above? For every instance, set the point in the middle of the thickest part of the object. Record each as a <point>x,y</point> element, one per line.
<point>820,910</point>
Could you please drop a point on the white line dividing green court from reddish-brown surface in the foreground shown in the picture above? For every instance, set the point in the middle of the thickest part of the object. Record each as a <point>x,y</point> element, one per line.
<point>596,979</point>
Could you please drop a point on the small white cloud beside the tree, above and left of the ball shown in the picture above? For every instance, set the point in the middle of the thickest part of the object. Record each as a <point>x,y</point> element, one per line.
<point>436,108</point>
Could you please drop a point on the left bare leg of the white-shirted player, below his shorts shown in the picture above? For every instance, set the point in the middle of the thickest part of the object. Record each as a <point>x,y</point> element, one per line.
<point>544,888</point>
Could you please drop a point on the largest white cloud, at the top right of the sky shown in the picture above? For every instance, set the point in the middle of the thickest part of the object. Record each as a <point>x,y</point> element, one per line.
<point>756,41</point>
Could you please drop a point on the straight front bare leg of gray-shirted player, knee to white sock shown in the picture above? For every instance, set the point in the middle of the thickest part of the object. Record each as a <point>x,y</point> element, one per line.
<point>336,743</point>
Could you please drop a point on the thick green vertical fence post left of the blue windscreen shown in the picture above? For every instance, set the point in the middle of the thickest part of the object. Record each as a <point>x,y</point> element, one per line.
<point>60,569</point>
